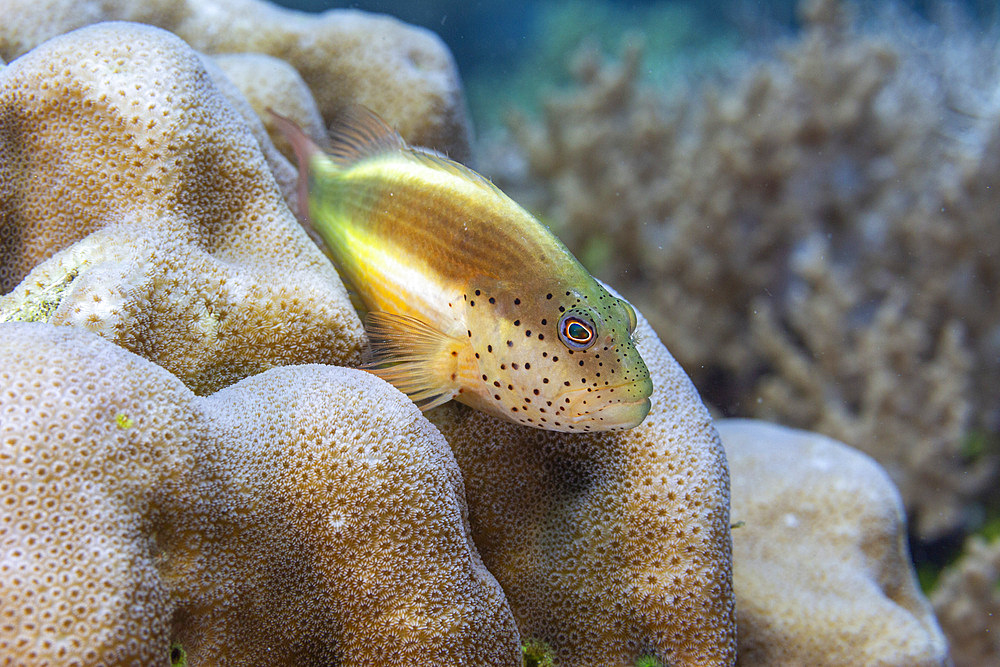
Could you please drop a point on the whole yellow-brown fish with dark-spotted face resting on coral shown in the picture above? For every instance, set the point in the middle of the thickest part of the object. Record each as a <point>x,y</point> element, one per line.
<point>464,294</point>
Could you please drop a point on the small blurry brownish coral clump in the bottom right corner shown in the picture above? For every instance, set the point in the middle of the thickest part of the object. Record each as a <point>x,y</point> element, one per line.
<point>967,604</point>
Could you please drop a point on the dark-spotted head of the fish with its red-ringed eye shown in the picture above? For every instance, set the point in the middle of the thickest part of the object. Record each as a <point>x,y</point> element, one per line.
<point>562,361</point>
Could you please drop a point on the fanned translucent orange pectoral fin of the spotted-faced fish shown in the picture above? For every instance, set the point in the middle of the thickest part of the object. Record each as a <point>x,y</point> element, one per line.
<point>419,360</point>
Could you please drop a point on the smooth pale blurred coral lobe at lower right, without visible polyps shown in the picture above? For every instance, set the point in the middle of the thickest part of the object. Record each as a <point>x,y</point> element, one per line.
<point>820,562</point>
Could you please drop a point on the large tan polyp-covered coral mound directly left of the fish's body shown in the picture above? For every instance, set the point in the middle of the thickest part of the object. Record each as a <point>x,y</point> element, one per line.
<point>158,223</point>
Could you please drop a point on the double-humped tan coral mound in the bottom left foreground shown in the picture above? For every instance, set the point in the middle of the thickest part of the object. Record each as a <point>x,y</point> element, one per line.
<point>307,515</point>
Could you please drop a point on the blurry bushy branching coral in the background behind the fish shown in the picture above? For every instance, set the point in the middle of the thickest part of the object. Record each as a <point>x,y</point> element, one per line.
<point>815,238</point>
